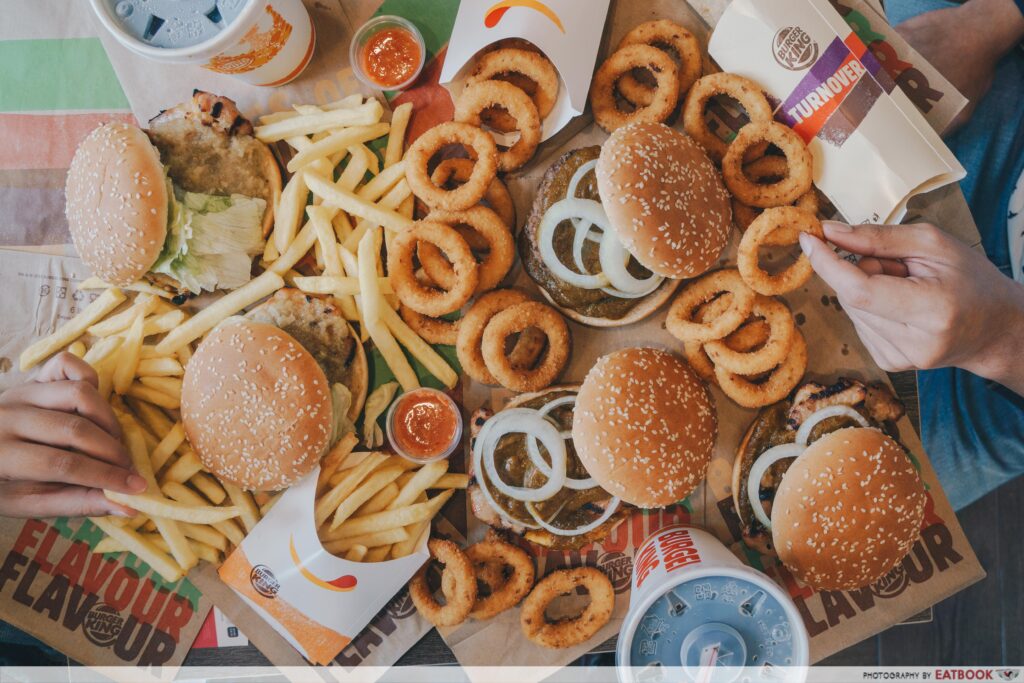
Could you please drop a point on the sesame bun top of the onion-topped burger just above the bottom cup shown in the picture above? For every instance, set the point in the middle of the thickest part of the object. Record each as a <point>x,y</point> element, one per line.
<point>645,426</point>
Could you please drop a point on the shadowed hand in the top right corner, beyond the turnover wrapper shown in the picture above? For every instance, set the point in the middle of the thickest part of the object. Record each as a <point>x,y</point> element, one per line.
<point>965,45</point>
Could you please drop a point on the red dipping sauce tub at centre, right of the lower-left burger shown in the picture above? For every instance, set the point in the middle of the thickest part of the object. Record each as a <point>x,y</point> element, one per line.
<point>424,425</point>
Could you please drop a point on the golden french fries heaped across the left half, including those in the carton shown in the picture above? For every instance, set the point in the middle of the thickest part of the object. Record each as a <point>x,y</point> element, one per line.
<point>371,506</point>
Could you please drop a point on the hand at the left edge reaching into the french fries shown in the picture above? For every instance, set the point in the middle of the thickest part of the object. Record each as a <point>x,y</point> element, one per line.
<point>61,447</point>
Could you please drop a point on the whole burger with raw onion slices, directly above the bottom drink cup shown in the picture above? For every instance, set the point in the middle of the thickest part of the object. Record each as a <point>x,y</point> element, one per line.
<point>565,466</point>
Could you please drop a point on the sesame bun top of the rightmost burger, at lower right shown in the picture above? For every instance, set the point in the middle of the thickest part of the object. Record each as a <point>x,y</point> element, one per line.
<point>848,510</point>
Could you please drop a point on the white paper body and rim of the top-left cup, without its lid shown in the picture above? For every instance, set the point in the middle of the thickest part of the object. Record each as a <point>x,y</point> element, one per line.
<point>269,44</point>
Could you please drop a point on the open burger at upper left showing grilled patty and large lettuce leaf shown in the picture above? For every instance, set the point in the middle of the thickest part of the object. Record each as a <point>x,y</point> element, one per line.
<point>185,206</point>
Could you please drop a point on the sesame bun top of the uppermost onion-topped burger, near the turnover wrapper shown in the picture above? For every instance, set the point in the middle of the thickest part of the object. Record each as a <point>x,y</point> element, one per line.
<point>665,199</point>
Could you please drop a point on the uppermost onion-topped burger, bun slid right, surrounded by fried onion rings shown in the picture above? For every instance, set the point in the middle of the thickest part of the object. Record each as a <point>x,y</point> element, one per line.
<point>615,228</point>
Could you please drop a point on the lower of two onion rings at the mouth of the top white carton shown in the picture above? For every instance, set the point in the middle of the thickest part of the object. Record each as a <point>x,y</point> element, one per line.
<point>485,95</point>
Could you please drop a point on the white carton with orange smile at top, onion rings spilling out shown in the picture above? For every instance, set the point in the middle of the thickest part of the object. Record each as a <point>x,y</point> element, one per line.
<point>569,32</point>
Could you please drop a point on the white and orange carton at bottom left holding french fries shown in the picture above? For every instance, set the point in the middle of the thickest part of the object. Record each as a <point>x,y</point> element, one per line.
<point>317,602</point>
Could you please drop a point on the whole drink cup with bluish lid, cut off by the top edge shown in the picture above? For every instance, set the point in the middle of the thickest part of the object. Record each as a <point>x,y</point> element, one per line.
<point>264,42</point>
